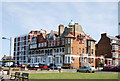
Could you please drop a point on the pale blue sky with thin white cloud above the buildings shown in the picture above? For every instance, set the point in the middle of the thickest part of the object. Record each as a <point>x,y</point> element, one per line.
<point>19,18</point>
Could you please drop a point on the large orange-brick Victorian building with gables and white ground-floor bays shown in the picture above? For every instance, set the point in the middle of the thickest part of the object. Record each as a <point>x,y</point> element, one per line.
<point>69,46</point>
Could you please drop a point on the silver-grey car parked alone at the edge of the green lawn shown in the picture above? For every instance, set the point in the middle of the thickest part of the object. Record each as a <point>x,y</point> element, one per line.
<point>87,69</point>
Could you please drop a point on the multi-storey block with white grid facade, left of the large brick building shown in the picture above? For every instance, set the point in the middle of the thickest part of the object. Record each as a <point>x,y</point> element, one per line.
<point>21,47</point>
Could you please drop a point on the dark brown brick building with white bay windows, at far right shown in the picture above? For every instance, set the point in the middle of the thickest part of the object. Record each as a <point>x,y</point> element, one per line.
<point>108,49</point>
